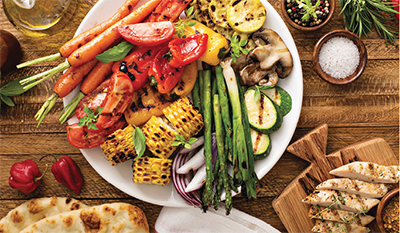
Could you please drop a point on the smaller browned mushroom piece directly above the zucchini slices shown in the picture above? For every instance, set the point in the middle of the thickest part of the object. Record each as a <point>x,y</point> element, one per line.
<point>253,74</point>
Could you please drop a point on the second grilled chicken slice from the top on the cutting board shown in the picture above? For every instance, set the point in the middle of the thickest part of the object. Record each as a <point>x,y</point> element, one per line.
<point>362,188</point>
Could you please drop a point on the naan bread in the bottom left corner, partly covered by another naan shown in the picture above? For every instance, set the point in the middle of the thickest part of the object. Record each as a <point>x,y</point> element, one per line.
<point>35,210</point>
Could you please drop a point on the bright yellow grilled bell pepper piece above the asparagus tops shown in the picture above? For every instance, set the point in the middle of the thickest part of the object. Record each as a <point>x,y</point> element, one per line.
<point>215,43</point>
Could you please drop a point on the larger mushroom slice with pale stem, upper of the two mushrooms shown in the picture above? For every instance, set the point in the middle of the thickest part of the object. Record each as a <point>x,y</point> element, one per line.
<point>271,52</point>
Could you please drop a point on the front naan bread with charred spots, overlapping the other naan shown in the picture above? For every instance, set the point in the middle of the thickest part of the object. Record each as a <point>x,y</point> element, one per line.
<point>115,217</point>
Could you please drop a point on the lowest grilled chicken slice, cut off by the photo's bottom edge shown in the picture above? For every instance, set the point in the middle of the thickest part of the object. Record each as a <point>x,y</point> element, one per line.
<point>327,226</point>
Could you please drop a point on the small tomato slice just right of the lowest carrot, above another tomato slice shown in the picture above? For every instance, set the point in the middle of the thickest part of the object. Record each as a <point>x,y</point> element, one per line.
<point>93,100</point>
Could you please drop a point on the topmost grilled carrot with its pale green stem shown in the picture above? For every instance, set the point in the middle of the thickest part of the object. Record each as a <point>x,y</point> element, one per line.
<point>86,36</point>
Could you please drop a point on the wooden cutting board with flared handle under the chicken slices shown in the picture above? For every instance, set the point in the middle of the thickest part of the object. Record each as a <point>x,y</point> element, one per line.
<point>312,147</point>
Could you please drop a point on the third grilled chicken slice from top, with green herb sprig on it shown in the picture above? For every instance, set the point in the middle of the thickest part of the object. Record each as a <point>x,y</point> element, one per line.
<point>341,200</point>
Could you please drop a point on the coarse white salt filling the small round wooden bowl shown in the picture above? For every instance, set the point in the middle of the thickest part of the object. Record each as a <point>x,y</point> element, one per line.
<point>339,57</point>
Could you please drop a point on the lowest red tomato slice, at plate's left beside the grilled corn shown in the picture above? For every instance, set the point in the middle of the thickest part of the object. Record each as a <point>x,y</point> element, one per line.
<point>82,138</point>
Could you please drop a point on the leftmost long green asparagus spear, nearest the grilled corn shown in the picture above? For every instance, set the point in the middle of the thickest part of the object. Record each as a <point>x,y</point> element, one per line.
<point>208,192</point>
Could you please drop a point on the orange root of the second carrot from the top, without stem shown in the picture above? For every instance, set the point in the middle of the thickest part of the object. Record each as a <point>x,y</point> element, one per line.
<point>99,44</point>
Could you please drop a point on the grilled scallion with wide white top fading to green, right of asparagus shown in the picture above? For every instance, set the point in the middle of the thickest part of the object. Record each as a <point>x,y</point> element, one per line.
<point>239,142</point>
